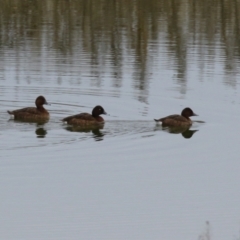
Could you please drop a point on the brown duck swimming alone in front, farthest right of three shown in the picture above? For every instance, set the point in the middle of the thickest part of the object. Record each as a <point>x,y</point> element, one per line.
<point>176,120</point>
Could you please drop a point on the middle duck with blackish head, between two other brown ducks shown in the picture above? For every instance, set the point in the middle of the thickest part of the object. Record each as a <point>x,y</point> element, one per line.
<point>87,119</point>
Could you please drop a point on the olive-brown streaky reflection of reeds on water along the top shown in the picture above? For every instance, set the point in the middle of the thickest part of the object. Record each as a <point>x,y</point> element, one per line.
<point>108,28</point>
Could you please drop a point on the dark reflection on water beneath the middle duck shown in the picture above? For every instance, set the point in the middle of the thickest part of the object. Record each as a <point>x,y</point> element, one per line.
<point>95,130</point>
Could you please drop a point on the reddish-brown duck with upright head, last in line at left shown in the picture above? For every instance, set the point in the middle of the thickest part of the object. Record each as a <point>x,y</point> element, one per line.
<point>32,113</point>
